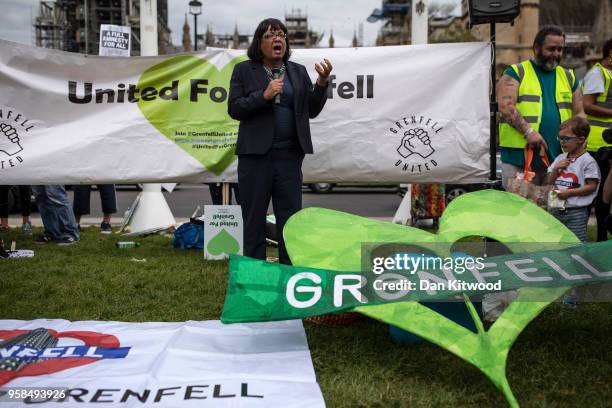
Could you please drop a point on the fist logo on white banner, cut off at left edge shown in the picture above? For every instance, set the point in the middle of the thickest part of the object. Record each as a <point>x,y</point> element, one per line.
<point>12,126</point>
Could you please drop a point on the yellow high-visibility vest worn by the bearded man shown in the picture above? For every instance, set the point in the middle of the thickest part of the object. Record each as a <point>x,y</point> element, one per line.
<point>529,102</point>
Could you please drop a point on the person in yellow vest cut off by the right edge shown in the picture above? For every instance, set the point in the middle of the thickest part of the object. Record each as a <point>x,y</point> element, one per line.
<point>598,107</point>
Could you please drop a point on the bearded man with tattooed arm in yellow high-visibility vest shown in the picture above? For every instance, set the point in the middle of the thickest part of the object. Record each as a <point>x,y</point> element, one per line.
<point>535,96</point>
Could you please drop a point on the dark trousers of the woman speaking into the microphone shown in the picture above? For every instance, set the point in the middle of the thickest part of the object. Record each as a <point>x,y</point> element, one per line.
<point>277,175</point>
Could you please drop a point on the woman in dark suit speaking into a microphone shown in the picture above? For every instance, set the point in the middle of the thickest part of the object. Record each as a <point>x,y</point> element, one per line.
<point>273,98</point>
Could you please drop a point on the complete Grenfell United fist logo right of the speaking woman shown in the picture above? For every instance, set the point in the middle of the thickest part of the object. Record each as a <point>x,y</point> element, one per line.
<point>416,135</point>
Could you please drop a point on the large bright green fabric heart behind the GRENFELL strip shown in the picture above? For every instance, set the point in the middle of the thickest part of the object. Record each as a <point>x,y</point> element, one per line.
<point>505,217</point>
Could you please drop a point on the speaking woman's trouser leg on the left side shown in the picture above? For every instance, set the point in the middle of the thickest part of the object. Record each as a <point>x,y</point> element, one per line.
<point>255,184</point>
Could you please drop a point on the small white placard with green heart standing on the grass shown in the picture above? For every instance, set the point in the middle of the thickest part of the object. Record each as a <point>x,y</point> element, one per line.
<point>223,231</point>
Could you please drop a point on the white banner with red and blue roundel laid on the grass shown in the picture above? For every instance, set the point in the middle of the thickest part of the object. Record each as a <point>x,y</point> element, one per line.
<point>191,364</point>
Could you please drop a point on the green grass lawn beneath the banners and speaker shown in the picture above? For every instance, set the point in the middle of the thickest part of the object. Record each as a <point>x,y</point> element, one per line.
<point>558,361</point>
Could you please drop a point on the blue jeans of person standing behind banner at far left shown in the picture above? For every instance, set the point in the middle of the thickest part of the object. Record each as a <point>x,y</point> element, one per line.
<point>56,212</point>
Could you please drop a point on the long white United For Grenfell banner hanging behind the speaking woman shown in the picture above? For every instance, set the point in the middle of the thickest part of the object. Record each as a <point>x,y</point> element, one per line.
<point>395,114</point>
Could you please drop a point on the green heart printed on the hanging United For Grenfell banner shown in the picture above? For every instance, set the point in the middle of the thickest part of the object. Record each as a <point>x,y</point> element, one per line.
<point>192,115</point>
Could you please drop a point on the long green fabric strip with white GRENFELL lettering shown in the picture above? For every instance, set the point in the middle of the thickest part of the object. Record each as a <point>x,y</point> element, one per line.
<point>263,291</point>
